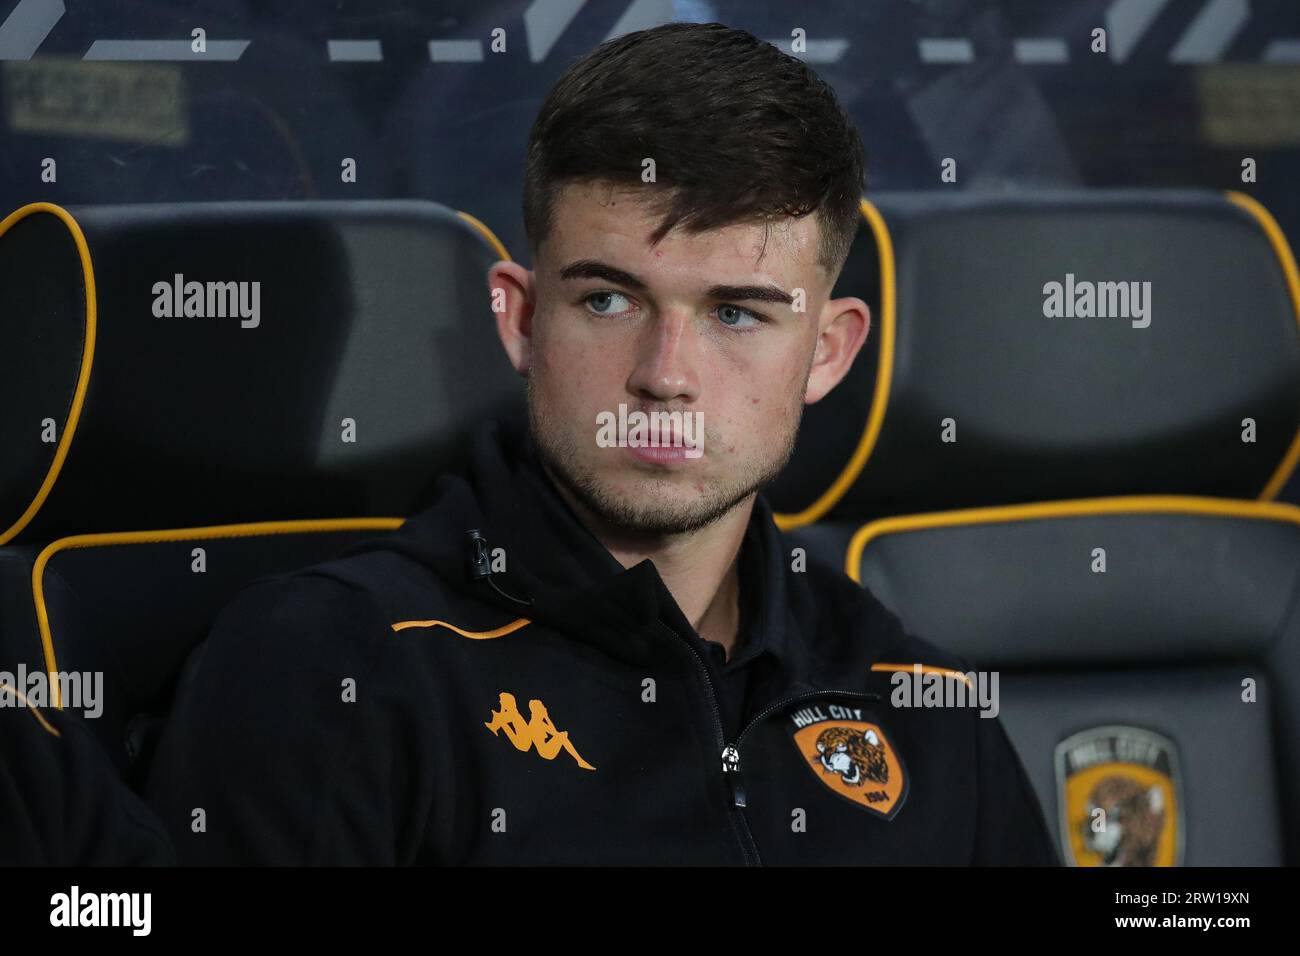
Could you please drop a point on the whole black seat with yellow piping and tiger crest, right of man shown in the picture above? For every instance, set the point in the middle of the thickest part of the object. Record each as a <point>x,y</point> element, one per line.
<point>1099,533</point>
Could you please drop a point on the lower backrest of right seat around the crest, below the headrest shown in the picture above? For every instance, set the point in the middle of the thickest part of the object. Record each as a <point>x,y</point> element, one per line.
<point>1193,633</point>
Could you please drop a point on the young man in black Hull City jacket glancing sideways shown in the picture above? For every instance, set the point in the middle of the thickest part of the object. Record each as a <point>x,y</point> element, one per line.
<point>623,664</point>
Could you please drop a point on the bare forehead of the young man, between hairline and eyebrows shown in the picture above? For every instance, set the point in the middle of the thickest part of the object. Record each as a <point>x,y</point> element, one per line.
<point>609,222</point>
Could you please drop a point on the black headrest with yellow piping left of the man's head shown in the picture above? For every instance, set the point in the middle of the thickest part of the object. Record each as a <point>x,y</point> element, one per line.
<point>168,366</point>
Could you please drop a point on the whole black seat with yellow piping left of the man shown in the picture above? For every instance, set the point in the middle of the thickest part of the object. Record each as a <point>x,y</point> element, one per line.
<point>155,466</point>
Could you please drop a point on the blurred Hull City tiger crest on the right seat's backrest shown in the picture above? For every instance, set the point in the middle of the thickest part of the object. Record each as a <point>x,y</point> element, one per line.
<point>1121,799</point>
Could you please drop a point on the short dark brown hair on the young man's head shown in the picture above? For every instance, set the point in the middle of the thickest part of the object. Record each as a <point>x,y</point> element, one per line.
<point>739,132</point>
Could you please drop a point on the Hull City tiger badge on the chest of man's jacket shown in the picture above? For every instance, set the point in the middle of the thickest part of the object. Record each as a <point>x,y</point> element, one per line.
<point>852,758</point>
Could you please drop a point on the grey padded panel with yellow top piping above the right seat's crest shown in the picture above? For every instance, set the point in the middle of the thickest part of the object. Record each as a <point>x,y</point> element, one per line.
<point>1125,581</point>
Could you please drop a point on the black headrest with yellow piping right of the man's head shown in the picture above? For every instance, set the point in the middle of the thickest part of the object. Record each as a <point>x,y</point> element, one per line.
<point>1055,347</point>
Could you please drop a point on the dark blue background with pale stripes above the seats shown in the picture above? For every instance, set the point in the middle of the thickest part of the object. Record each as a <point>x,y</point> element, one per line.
<point>1186,90</point>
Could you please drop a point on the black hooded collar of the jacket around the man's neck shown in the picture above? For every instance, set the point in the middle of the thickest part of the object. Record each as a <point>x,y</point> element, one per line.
<point>556,561</point>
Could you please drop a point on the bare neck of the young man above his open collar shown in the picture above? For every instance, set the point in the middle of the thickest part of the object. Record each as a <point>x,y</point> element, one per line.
<point>700,569</point>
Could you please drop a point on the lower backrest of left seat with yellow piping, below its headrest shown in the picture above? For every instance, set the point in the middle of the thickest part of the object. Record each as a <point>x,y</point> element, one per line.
<point>132,607</point>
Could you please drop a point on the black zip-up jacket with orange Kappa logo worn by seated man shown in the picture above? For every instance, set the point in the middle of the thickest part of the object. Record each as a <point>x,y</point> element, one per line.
<point>388,707</point>
